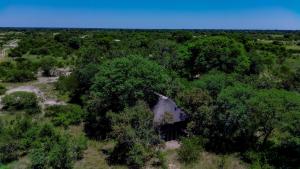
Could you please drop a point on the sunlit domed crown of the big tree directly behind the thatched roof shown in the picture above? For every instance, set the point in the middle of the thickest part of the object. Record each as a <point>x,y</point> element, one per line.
<point>130,79</point>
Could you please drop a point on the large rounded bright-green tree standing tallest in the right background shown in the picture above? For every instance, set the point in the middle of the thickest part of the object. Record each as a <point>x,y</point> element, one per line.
<point>221,53</point>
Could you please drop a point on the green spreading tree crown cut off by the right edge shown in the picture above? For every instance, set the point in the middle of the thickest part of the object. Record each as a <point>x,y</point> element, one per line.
<point>276,111</point>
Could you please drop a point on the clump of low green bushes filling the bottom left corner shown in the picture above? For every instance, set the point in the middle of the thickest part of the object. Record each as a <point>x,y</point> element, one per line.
<point>46,146</point>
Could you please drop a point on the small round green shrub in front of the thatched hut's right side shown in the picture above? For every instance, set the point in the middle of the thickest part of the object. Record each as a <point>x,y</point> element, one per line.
<point>190,149</point>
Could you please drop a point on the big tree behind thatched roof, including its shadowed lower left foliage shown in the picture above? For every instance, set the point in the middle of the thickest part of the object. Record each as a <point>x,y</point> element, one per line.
<point>122,82</point>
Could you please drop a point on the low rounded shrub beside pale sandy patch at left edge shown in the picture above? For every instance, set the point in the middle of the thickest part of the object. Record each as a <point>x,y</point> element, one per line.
<point>21,101</point>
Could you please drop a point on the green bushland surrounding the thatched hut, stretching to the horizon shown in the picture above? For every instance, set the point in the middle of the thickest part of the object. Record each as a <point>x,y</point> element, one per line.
<point>239,89</point>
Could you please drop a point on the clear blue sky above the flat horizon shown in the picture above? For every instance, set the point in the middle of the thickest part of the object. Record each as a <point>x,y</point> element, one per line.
<point>187,14</point>
